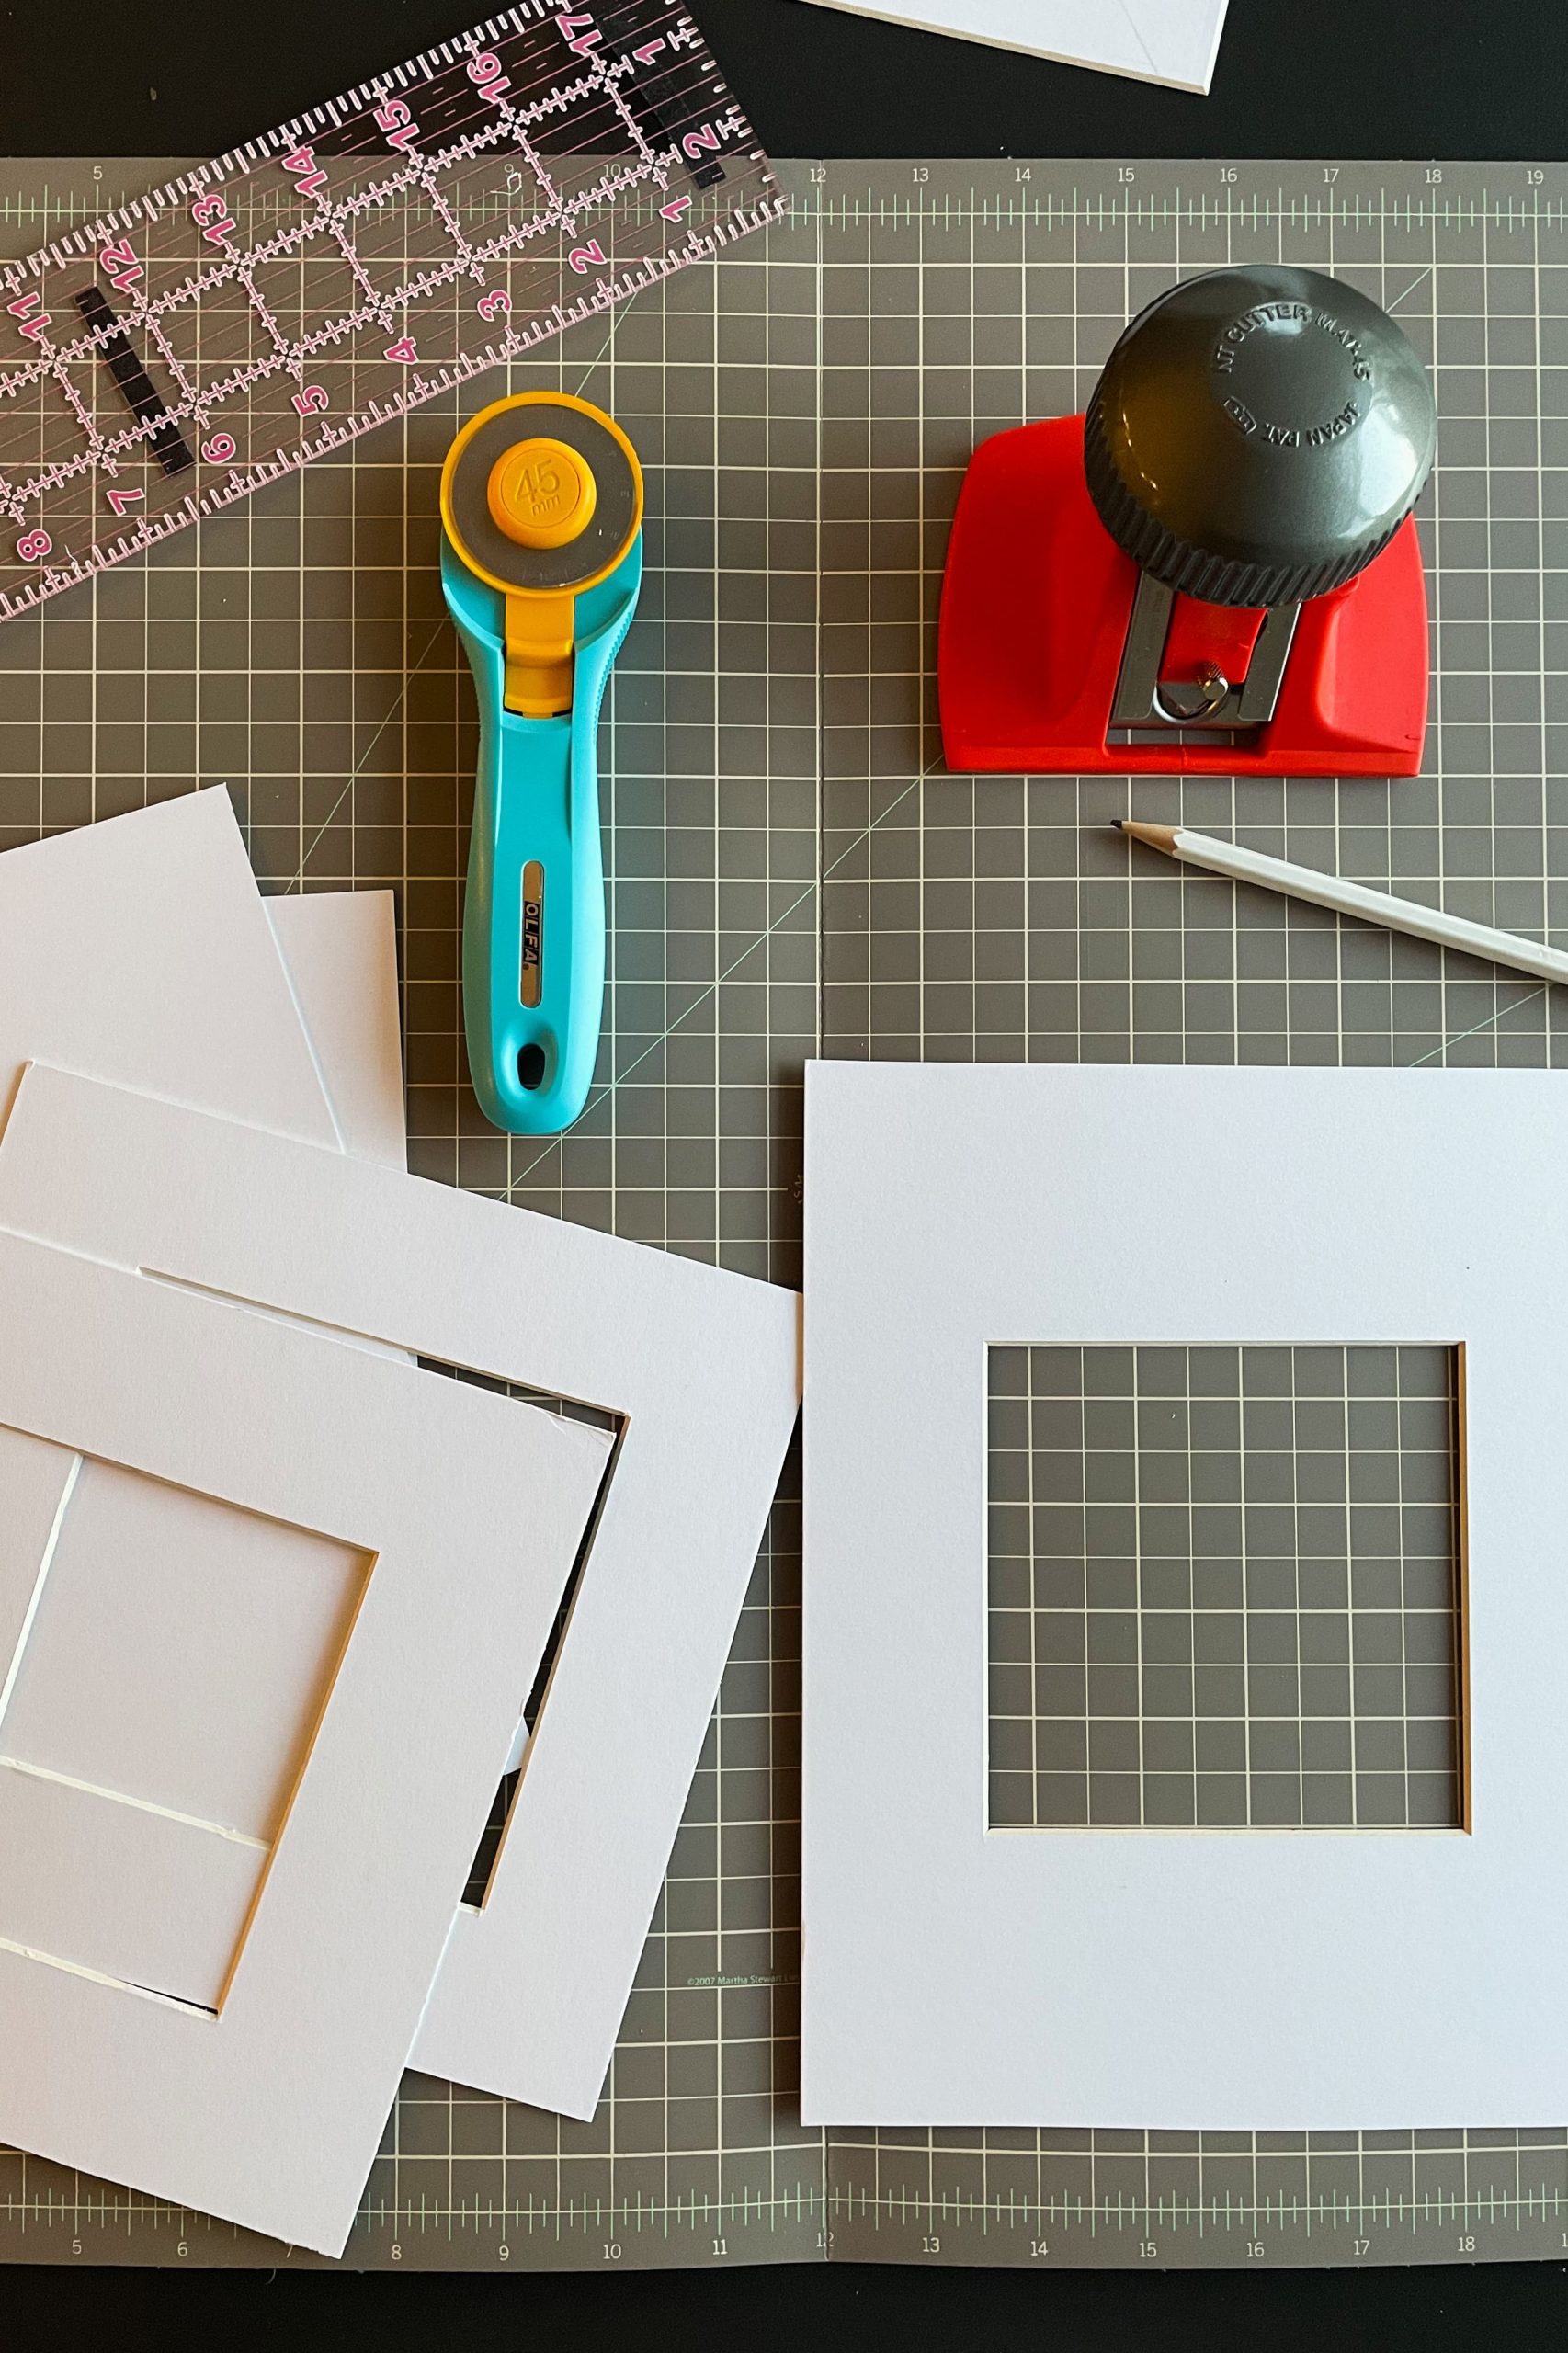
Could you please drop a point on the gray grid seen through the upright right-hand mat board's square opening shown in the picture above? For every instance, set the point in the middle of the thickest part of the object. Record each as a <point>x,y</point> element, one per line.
<point>1225,1589</point>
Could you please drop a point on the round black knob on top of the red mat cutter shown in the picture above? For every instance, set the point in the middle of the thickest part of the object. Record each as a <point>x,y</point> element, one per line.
<point>1258,436</point>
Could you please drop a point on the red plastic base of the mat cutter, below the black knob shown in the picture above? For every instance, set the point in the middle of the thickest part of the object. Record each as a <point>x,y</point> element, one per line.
<point>1037,608</point>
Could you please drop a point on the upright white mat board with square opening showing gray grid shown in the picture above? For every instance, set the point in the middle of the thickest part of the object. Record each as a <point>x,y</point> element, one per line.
<point>957,1975</point>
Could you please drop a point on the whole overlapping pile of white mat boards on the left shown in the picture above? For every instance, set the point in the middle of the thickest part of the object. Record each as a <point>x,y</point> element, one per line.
<point>274,1594</point>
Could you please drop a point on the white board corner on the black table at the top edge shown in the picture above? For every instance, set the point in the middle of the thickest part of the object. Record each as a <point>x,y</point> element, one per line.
<point>1152,41</point>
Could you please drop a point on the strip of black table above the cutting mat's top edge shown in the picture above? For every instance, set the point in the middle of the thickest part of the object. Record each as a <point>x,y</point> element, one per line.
<point>1357,79</point>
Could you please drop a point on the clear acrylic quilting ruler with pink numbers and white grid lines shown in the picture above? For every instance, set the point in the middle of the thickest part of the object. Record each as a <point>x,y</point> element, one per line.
<point>274,305</point>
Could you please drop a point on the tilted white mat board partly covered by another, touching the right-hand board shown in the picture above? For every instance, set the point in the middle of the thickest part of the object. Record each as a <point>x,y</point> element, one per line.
<point>703,1371</point>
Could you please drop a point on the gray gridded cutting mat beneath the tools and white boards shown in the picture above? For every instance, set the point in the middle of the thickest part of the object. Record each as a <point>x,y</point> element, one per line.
<point>792,869</point>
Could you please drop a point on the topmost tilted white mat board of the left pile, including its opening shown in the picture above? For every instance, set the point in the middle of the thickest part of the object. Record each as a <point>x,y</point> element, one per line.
<point>215,1949</point>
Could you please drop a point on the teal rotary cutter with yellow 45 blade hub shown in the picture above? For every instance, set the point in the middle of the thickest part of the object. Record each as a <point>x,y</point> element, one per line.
<point>543,561</point>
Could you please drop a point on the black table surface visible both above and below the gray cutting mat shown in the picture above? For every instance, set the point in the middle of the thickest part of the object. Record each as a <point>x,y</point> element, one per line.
<point>1357,79</point>
